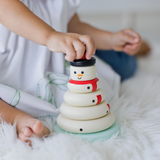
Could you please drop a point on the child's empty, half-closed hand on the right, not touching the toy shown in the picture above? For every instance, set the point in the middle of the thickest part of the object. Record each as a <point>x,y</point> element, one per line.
<point>126,40</point>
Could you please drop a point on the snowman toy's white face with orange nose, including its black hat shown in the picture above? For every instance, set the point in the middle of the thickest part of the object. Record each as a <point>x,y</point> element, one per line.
<point>83,69</point>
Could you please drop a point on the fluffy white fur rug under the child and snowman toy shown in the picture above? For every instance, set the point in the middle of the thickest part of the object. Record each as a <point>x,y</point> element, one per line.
<point>137,112</point>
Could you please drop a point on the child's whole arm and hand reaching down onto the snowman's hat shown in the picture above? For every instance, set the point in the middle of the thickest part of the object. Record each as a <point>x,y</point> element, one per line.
<point>19,19</point>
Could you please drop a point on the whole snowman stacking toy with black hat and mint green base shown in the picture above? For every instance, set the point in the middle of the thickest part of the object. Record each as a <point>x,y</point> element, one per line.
<point>85,112</point>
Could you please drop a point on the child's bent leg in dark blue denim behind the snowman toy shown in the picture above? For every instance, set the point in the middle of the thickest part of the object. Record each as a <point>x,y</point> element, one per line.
<point>122,63</point>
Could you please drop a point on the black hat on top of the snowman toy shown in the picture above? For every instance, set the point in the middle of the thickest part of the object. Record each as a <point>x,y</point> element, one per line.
<point>83,62</point>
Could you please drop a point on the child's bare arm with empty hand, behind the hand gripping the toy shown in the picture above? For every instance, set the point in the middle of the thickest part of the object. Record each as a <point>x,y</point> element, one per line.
<point>126,40</point>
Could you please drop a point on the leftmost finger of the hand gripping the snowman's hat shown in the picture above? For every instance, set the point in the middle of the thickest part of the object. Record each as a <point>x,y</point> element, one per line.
<point>70,53</point>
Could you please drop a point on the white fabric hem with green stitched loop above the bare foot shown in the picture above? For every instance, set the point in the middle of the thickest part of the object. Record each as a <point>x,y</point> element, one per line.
<point>26,102</point>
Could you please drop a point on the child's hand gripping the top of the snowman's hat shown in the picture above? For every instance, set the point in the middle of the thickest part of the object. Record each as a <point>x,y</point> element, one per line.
<point>73,45</point>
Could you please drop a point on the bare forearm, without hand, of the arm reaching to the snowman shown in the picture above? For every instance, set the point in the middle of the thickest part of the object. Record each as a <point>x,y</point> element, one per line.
<point>20,20</point>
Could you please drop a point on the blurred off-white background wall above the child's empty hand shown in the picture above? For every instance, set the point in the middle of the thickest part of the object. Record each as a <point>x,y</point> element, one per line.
<point>113,15</point>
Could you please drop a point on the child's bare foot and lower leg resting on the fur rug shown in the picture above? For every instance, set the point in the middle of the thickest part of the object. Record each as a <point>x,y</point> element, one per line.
<point>26,125</point>
